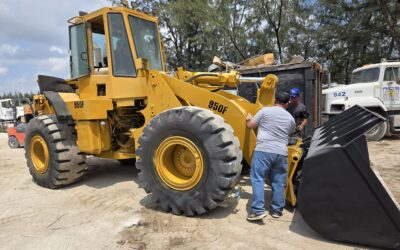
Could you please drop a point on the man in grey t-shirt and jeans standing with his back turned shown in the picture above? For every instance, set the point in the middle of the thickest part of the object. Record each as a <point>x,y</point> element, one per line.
<point>275,125</point>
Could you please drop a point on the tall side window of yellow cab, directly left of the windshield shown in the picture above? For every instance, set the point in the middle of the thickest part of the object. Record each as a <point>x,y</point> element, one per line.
<point>122,61</point>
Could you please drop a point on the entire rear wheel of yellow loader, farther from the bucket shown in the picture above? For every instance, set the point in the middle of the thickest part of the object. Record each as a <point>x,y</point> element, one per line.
<point>52,155</point>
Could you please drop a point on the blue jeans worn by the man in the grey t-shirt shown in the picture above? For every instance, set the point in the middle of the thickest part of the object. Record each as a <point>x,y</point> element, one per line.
<point>275,167</point>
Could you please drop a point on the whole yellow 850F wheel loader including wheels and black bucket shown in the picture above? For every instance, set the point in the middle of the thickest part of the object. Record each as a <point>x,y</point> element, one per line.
<point>188,135</point>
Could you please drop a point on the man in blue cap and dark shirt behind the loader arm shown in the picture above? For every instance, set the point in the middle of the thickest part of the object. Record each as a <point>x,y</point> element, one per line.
<point>297,109</point>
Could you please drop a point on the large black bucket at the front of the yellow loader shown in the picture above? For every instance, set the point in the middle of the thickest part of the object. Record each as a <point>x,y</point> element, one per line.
<point>340,196</point>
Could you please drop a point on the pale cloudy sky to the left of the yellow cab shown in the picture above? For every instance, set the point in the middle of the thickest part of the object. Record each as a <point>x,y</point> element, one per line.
<point>34,40</point>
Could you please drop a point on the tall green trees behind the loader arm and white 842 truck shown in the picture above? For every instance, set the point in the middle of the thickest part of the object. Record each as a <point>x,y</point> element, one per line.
<point>340,35</point>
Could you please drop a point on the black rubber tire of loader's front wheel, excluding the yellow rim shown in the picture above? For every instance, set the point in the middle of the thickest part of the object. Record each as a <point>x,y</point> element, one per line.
<point>219,149</point>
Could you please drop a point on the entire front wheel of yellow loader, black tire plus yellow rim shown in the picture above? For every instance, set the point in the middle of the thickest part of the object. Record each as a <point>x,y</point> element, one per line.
<point>189,159</point>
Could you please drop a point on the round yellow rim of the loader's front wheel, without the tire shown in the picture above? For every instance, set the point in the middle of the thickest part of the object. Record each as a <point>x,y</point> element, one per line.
<point>179,163</point>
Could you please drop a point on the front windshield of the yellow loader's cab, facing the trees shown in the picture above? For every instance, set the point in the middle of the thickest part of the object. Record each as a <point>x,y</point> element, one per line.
<point>146,40</point>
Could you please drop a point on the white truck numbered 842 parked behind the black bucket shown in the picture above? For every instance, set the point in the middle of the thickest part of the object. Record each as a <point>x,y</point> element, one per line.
<point>375,87</point>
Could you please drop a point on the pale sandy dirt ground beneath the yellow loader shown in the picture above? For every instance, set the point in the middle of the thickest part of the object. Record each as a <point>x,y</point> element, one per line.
<point>107,210</point>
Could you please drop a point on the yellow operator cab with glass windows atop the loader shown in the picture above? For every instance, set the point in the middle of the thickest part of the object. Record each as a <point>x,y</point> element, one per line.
<point>117,37</point>
